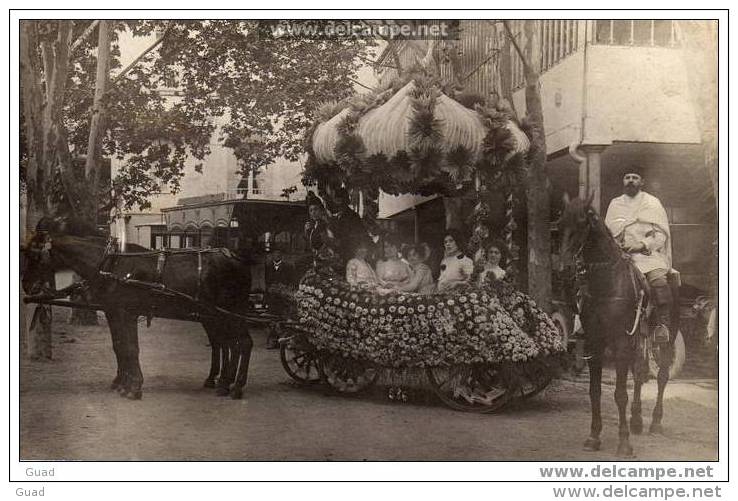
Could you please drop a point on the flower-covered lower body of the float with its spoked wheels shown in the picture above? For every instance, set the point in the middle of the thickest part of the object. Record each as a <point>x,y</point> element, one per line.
<point>479,348</point>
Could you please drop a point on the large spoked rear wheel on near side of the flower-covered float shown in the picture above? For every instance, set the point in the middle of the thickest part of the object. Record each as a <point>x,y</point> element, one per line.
<point>478,388</point>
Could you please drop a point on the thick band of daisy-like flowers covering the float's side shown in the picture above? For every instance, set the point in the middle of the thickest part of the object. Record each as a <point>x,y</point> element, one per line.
<point>414,330</point>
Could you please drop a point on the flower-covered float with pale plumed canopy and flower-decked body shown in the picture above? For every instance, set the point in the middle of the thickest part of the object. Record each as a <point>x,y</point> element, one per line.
<point>479,347</point>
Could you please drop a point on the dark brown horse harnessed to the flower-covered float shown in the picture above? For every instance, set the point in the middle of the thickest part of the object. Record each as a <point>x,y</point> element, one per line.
<point>218,282</point>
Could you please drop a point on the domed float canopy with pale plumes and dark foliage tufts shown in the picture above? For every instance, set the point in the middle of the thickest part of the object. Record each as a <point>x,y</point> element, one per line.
<point>412,138</point>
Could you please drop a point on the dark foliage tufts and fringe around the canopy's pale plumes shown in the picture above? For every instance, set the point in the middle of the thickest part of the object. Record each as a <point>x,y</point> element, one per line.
<point>425,166</point>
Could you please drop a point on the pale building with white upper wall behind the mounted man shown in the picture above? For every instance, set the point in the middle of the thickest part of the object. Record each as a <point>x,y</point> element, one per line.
<point>615,93</point>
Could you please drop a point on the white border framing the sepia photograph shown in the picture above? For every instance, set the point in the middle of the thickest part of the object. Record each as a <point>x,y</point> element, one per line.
<point>397,471</point>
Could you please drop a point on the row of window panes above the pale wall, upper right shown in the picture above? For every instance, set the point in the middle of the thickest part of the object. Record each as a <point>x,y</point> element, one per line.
<point>640,32</point>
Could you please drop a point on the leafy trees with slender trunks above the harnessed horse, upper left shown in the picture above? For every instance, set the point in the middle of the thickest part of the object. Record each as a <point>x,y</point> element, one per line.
<point>263,87</point>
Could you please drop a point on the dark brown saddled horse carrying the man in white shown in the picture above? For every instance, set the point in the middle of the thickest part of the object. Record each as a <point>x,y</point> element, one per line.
<point>609,315</point>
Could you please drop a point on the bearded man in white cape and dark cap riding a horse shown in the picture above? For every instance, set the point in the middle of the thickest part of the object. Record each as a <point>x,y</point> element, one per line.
<point>639,223</point>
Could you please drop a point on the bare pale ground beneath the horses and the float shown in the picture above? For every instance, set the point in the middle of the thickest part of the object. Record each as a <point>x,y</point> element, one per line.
<point>67,412</point>
